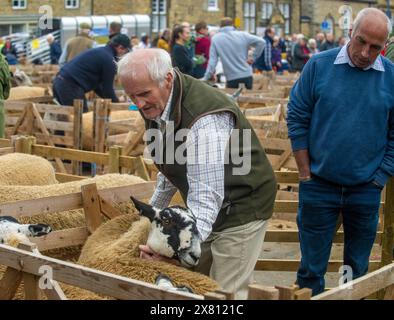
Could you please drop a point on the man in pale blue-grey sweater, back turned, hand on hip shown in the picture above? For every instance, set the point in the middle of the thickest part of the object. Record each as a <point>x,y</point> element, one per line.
<point>232,46</point>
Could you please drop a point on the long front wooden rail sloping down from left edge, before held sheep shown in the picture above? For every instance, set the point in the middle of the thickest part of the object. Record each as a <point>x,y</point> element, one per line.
<point>86,278</point>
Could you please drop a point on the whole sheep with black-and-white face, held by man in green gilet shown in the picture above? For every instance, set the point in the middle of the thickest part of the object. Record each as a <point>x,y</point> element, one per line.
<point>114,248</point>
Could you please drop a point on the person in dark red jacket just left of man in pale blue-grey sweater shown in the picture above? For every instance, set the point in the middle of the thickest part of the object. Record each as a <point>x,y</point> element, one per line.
<point>203,44</point>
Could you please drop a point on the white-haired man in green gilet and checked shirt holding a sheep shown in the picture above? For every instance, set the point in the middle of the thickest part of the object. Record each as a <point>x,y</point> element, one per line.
<point>231,194</point>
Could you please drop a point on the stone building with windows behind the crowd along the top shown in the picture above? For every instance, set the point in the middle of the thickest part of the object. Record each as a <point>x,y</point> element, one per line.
<point>286,16</point>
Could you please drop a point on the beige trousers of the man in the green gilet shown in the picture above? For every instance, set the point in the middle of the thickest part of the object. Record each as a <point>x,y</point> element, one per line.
<point>229,256</point>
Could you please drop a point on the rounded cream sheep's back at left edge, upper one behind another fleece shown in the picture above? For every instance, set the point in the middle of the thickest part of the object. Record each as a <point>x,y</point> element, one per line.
<point>19,169</point>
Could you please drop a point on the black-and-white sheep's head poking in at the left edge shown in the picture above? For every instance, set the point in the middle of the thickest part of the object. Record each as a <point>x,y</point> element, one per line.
<point>10,227</point>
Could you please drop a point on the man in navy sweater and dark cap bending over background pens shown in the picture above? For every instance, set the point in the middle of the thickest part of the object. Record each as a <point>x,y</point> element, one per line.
<point>92,70</point>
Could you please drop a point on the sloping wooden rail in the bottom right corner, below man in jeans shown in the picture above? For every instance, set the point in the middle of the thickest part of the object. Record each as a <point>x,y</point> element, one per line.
<point>361,287</point>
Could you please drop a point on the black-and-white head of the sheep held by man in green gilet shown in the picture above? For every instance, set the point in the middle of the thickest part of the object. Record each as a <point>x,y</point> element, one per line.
<point>173,232</point>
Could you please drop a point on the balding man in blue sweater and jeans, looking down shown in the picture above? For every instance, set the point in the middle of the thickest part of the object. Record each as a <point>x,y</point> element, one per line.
<point>341,126</point>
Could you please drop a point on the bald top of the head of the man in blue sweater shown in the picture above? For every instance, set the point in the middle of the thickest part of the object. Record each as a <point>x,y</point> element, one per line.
<point>374,19</point>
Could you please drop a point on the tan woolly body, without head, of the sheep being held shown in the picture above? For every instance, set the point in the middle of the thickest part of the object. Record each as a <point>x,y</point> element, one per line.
<point>114,248</point>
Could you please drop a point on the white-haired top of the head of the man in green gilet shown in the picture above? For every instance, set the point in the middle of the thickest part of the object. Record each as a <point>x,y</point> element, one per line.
<point>157,63</point>
